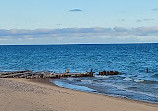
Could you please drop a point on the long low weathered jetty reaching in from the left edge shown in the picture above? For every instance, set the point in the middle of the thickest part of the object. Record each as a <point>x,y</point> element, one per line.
<point>35,75</point>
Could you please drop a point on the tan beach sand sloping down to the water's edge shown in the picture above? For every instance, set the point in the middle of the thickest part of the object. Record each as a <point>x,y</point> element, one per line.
<point>40,95</point>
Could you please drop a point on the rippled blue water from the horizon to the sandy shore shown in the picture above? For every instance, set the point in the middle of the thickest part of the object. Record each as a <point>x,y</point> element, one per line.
<point>129,59</point>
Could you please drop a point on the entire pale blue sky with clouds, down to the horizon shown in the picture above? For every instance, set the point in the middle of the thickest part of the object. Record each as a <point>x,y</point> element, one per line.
<point>78,21</point>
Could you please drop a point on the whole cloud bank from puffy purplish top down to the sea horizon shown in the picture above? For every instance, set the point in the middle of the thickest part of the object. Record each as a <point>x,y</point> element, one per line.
<point>81,35</point>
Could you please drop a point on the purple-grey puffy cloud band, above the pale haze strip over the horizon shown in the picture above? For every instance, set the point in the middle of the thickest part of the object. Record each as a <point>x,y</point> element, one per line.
<point>116,31</point>
